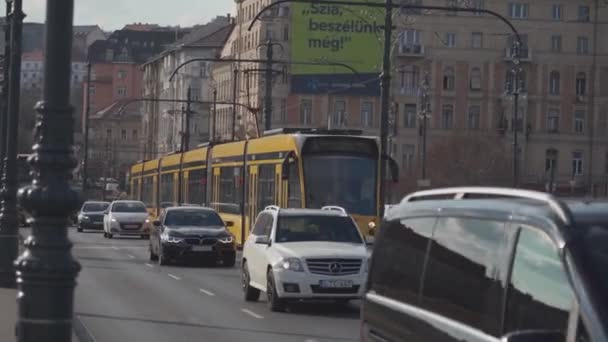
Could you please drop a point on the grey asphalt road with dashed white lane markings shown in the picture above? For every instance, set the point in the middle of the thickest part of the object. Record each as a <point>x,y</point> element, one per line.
<point>122,296</point>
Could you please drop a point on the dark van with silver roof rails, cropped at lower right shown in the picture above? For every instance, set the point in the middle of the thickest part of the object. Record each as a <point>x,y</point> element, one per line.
<point>488,264</point>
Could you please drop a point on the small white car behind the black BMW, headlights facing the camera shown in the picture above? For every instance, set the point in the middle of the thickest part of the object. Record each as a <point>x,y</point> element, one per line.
<point>126,218</point>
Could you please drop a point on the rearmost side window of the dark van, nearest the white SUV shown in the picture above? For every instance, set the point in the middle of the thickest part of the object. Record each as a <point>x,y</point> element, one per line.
<point>399,258</point>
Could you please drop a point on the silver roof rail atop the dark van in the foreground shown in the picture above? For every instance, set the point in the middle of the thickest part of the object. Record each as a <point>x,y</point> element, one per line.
<point>461,192</point>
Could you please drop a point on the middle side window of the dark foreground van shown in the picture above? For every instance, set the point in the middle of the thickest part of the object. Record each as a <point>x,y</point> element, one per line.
<point>464,273</point>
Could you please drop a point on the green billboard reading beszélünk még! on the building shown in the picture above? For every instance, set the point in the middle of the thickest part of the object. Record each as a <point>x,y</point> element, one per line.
<point>337,33</point>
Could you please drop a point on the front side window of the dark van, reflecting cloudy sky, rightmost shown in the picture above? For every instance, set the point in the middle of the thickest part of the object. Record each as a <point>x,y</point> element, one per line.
<point>540,296</point>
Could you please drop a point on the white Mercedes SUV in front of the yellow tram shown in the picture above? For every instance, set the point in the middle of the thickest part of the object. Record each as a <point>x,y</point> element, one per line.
<point>297,254</point>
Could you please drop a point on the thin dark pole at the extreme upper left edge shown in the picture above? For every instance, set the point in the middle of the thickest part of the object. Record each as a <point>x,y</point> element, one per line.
<point>6,66</point>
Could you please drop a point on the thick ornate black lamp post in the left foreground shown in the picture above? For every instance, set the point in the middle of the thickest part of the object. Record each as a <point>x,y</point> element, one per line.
<point>46,271</point>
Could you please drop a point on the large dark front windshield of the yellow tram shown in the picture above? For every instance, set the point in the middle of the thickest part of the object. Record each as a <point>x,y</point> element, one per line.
<point>345,181</point>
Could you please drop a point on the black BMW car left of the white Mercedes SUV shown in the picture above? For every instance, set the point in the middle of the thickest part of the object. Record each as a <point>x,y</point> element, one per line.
<point>191,233</point>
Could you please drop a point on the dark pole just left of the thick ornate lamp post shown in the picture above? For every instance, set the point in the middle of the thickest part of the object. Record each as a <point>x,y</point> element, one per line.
<point>8,214</point>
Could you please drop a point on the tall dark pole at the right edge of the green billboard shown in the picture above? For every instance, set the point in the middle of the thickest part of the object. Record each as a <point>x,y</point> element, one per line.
<point>385,99</point>
